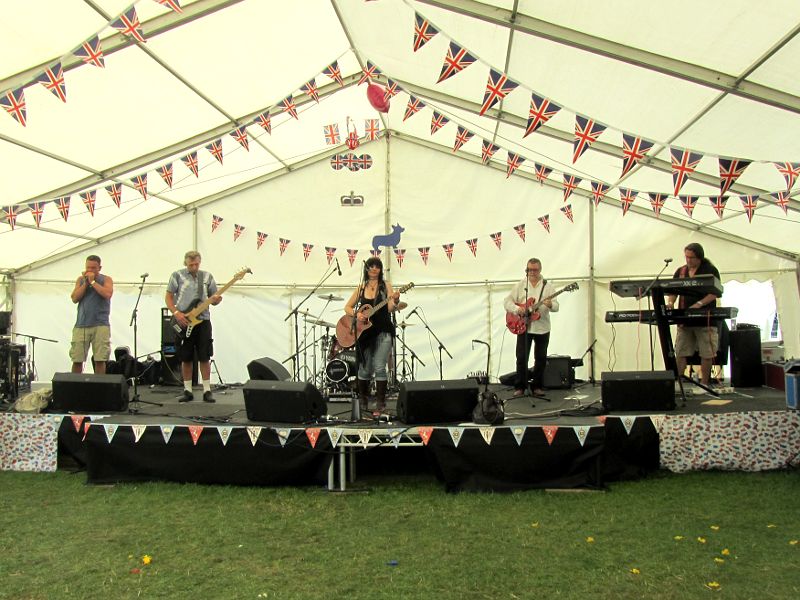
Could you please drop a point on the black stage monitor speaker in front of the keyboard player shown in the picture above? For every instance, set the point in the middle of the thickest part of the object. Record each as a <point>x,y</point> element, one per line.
<point>638,390</point>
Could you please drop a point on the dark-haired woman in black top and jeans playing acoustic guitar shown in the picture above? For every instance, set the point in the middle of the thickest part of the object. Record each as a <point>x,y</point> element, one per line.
<point>374,344</point>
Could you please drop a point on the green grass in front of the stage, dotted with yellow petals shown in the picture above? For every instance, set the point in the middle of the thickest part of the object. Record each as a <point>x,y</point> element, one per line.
<point>406,538</point>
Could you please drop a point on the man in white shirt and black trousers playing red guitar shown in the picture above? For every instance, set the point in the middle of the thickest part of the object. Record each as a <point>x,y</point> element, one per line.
<point>526,293</point>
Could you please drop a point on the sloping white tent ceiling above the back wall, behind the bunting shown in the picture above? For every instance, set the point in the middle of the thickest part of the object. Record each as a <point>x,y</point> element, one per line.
<point>716,77</point>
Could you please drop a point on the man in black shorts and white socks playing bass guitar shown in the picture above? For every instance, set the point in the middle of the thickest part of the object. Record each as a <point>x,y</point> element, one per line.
<point>187,288</point>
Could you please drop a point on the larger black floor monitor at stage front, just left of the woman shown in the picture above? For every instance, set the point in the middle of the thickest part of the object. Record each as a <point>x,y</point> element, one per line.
<point>283,401</point>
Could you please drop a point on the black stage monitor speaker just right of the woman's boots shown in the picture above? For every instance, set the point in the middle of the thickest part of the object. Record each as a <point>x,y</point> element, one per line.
<point>445,401</point>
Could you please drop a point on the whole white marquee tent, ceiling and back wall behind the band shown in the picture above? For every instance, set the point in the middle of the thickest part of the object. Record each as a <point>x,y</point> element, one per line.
<point>712,85</point>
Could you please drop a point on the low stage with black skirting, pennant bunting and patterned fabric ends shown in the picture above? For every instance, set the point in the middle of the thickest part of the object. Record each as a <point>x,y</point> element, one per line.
<point>565,441</point>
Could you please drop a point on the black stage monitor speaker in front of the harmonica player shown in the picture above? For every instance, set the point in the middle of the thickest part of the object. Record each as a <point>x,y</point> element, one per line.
<point>86,393</point>
